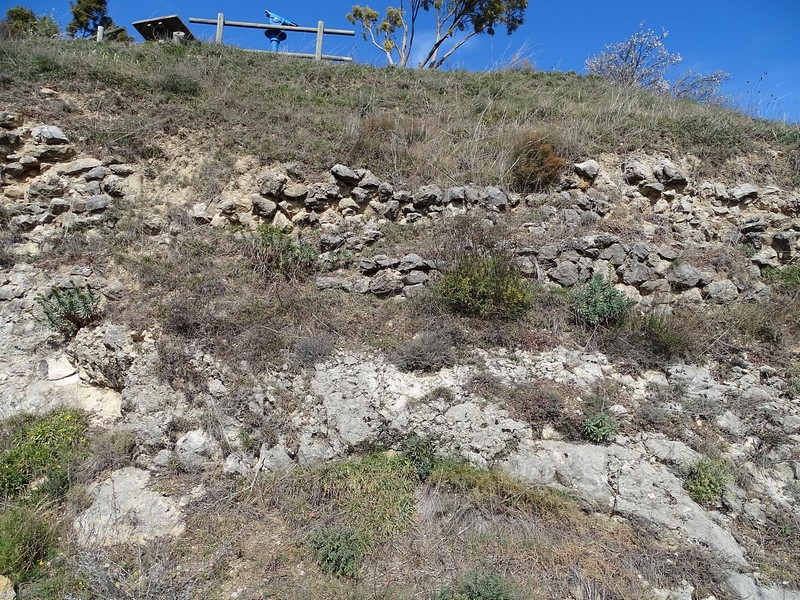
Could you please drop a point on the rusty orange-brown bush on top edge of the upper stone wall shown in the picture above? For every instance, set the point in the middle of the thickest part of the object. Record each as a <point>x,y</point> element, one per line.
<point>536,165</point>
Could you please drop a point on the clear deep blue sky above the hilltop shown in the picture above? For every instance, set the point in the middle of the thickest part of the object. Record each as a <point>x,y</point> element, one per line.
<point>756,41</point>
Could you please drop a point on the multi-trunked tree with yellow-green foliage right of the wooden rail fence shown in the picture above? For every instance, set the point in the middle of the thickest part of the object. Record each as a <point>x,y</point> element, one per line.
<point>456,21</point>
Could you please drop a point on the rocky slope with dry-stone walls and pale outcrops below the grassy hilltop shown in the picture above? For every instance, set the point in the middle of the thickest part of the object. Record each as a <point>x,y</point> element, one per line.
<point>277,396</point>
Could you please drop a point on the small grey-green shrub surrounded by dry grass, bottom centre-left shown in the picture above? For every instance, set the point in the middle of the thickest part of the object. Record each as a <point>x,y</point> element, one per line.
<point>339,551</point>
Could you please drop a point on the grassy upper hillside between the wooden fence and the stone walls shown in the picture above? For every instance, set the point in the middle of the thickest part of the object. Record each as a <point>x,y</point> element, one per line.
<point>450,127</point>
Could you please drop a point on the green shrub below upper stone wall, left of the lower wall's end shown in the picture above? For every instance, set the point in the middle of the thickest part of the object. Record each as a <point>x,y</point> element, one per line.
<point>273,253</point>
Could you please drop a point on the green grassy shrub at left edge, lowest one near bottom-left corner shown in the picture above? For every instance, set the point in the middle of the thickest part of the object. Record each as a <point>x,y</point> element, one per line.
<point>25,539</point>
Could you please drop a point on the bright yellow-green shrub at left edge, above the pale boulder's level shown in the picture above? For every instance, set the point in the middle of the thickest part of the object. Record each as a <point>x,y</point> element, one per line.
<point>42,450</point>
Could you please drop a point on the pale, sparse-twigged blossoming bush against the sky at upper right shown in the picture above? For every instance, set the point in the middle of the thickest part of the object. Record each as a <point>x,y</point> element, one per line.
<point>644,61</point>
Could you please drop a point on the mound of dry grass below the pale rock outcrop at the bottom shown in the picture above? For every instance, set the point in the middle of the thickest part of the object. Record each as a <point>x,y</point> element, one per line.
<point>465,520</point>
